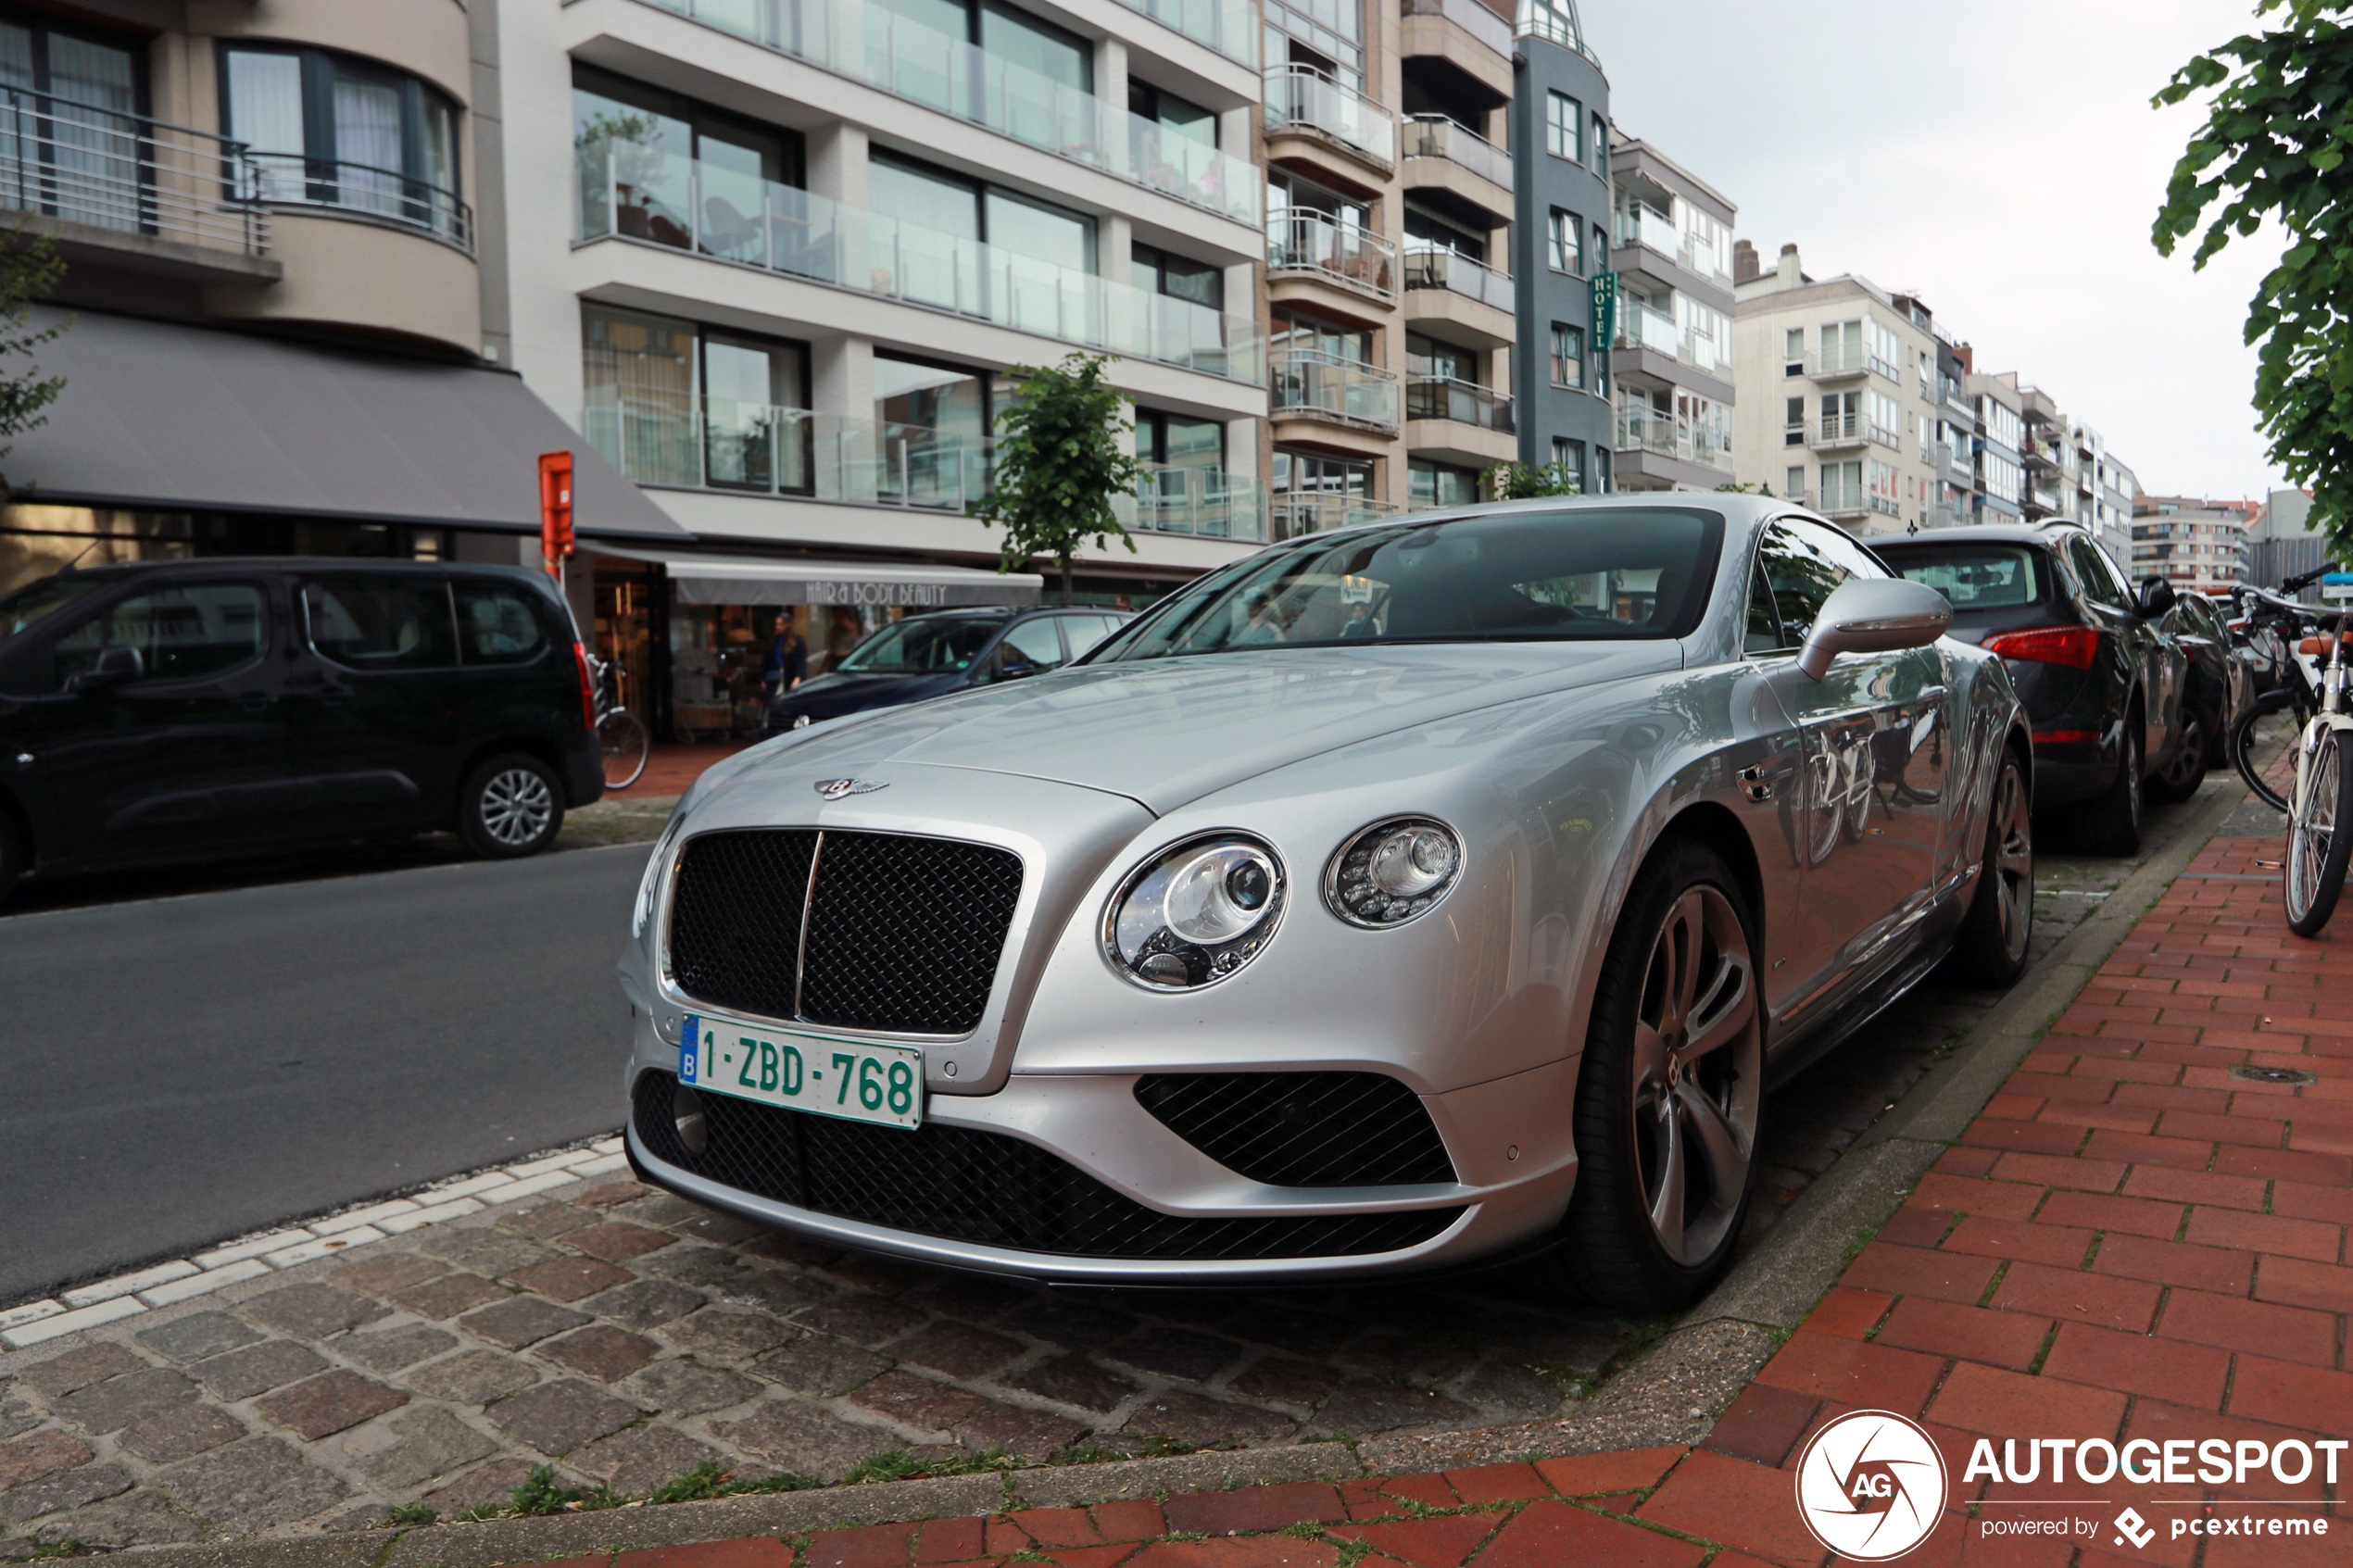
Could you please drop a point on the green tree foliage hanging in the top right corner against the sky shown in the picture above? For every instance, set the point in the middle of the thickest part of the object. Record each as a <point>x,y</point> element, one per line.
<point>2274,147</point>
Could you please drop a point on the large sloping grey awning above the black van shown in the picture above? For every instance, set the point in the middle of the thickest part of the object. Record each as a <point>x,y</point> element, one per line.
<point>180,420</point>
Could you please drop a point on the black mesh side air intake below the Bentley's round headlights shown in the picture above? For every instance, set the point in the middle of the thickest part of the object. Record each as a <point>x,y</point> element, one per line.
<point>1302,1130</point>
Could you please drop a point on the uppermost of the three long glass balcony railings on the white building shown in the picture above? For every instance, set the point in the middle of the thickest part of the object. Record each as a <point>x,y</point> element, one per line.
<point>886,51</point>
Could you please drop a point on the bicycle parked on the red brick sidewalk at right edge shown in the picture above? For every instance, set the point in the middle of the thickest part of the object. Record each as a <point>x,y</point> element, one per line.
<point>2319,800</point>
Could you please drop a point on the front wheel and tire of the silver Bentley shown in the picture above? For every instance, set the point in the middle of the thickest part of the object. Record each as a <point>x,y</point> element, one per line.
<point>1637,1092</point>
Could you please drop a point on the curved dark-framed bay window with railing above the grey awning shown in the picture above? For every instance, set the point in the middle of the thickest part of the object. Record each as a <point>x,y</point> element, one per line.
<point>331,130</point>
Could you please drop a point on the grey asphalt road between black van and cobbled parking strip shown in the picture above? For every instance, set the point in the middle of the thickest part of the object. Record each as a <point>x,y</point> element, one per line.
<point>196,1068</point>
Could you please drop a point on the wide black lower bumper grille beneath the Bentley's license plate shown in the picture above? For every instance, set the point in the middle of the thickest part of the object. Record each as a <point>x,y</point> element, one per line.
<point>987,1188</point>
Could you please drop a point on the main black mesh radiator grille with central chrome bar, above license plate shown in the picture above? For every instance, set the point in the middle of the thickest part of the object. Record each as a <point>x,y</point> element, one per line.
<point>905,934</point>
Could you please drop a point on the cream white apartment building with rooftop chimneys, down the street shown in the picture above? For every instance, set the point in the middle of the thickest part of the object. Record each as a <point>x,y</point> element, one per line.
<point>1839,396</point>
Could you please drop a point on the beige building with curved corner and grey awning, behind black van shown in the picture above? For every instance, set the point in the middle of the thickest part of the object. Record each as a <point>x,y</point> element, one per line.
<point>276,276</point>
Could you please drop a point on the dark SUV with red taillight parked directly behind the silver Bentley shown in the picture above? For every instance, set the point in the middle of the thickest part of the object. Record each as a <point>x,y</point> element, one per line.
<point>2093,662</point>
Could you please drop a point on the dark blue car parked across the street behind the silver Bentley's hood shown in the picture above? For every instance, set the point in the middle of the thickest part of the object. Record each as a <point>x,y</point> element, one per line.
<point>938,652</point>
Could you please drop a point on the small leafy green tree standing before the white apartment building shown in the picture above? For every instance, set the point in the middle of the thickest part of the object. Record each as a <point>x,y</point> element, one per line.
<point>1060,464</point>
